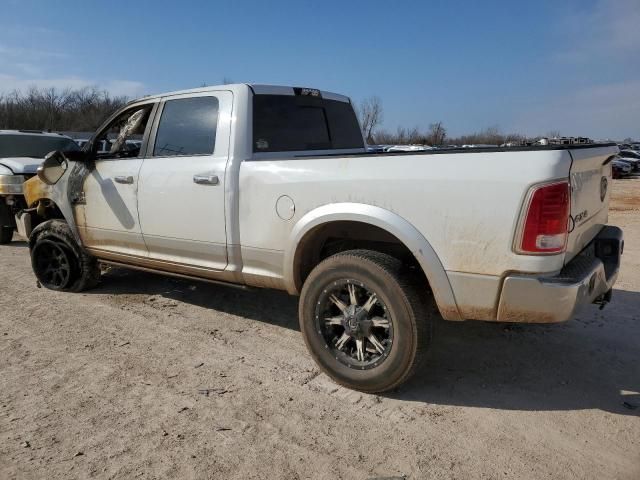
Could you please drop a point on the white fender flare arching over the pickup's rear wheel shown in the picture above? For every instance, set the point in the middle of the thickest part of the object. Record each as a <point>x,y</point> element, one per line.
<point>378,217</point>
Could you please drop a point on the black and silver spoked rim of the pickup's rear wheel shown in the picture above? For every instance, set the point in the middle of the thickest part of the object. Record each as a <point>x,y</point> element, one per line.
<point>354,323</point>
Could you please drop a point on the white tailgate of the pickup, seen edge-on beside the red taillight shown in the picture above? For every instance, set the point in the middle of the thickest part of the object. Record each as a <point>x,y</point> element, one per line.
<point>590,192</point>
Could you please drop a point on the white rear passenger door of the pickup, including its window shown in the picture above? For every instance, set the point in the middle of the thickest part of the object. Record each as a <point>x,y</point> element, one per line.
<point>181,192</point>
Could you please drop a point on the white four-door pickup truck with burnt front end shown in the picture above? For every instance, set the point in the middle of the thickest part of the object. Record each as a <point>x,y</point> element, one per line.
<point>272,187</point>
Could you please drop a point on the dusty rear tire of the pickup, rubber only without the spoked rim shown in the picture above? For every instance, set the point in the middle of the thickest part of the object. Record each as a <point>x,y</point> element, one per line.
<point>407,299</point>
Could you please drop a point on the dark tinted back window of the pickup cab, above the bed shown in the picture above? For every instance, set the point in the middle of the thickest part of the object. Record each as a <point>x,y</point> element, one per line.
<point>286,123</point>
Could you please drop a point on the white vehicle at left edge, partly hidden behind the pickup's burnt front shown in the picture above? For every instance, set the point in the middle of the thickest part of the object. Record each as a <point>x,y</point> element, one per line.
<point>21,152</point>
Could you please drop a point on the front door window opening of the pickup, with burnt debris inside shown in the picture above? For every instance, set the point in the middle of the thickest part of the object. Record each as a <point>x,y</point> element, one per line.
<point>115,141</point>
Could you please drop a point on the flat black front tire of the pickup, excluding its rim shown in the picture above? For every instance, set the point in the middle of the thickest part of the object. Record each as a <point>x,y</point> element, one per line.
<point>84,271</point>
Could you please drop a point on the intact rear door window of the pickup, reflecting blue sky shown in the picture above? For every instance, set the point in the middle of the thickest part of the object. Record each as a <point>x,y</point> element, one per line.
<point>187,127</point>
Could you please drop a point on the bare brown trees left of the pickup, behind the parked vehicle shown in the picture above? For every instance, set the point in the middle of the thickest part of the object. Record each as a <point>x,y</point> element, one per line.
<point>57,110</point>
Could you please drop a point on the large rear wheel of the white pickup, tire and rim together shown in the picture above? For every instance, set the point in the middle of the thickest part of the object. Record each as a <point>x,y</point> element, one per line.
<point>364,319</point>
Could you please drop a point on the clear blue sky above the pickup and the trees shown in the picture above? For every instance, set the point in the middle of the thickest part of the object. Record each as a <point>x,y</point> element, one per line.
<point>530,67</point>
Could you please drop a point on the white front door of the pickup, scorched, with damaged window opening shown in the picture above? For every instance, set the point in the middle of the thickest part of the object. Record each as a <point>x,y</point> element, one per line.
<point>107,215</point>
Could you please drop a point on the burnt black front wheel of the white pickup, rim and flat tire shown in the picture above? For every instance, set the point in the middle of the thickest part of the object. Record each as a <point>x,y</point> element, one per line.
<point>57,260</point>
